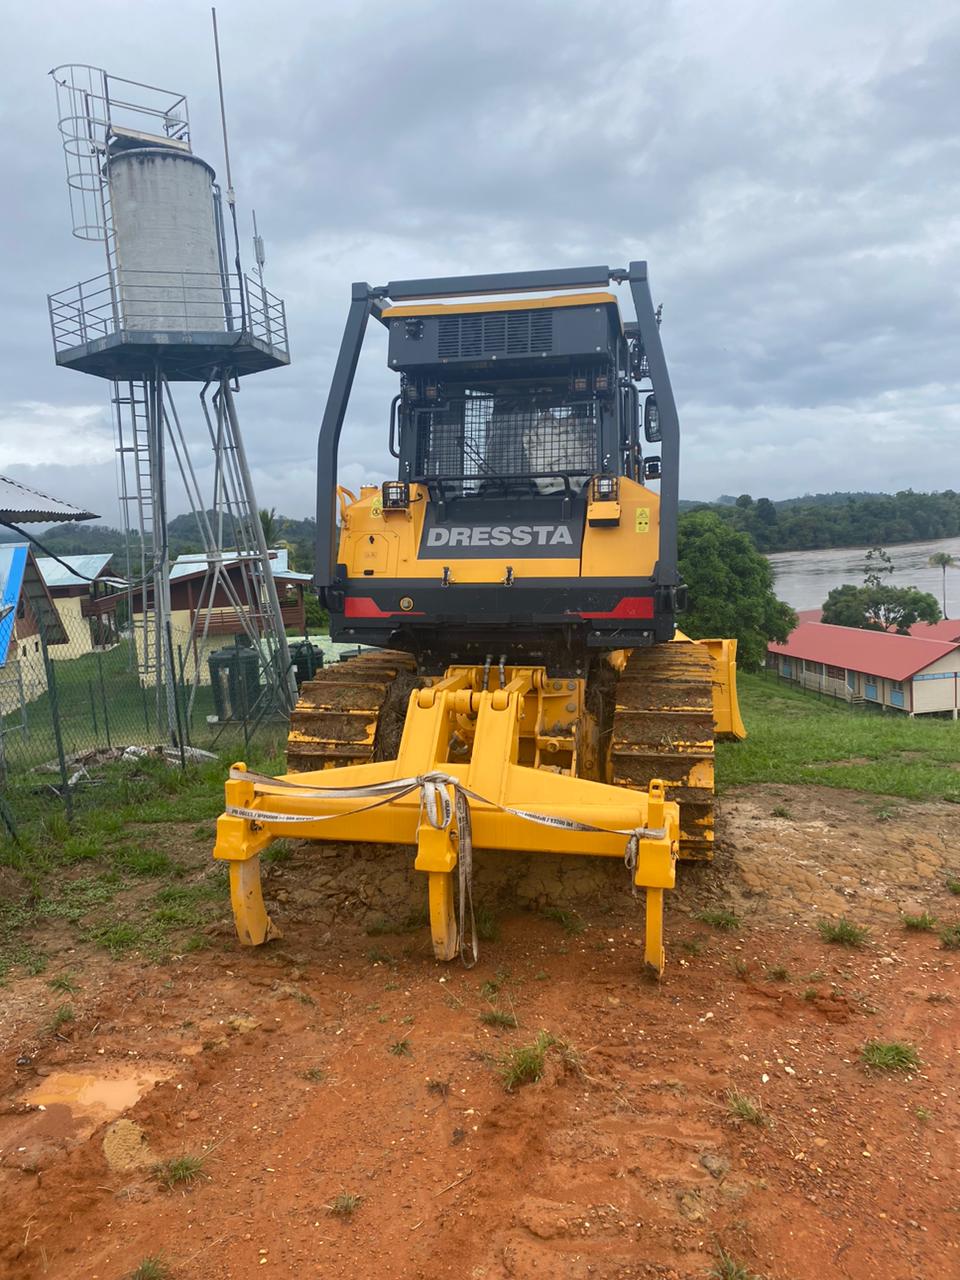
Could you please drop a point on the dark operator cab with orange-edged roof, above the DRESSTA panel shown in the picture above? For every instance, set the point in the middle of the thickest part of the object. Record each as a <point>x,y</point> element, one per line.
<point>513,400</point>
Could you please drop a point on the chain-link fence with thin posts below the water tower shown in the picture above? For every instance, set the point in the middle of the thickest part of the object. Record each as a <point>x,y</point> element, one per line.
<point>76,696</point>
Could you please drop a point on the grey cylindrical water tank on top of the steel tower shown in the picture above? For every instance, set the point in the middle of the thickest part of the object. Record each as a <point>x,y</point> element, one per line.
<point>168,267</point>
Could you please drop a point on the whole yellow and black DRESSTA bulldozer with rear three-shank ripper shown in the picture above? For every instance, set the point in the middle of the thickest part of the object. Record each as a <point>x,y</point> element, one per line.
<point>520,684</point>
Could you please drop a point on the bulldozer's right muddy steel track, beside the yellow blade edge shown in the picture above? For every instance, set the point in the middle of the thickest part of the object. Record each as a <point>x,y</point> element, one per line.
<point>664,729</point>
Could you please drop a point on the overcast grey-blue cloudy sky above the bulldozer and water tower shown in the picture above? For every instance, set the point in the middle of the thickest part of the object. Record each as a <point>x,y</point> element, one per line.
<point>792,173</point>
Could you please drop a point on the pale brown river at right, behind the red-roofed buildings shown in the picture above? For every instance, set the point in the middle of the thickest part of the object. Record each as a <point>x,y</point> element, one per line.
<point>804,579</point>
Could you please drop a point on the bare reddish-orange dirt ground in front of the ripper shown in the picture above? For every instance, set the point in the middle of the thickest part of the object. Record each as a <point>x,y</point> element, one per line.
<point>624,1162</point>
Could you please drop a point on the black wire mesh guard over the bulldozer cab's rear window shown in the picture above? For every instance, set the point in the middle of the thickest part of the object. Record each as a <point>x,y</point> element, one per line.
<point>546,442</point>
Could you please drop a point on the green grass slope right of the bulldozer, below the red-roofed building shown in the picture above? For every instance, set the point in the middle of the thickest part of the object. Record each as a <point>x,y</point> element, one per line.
<point>797,738</point>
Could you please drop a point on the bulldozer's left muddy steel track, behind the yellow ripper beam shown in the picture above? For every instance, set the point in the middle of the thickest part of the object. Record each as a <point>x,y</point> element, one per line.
<point>351,714</point>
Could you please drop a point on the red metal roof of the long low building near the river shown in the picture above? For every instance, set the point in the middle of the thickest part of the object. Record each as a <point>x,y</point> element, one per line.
<point>874,653</point>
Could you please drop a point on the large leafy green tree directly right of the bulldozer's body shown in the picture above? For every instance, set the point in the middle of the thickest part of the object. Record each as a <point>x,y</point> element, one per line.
<point>730,588</point>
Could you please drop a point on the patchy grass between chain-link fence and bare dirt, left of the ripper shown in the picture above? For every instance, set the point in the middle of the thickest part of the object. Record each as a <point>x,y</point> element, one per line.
<point>80,874</point>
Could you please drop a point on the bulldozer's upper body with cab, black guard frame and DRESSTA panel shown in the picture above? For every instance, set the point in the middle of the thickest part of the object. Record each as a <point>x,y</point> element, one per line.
<point>520,522</point>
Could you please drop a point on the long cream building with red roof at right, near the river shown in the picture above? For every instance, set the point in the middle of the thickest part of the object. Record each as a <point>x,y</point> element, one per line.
<point>918,674</point>
